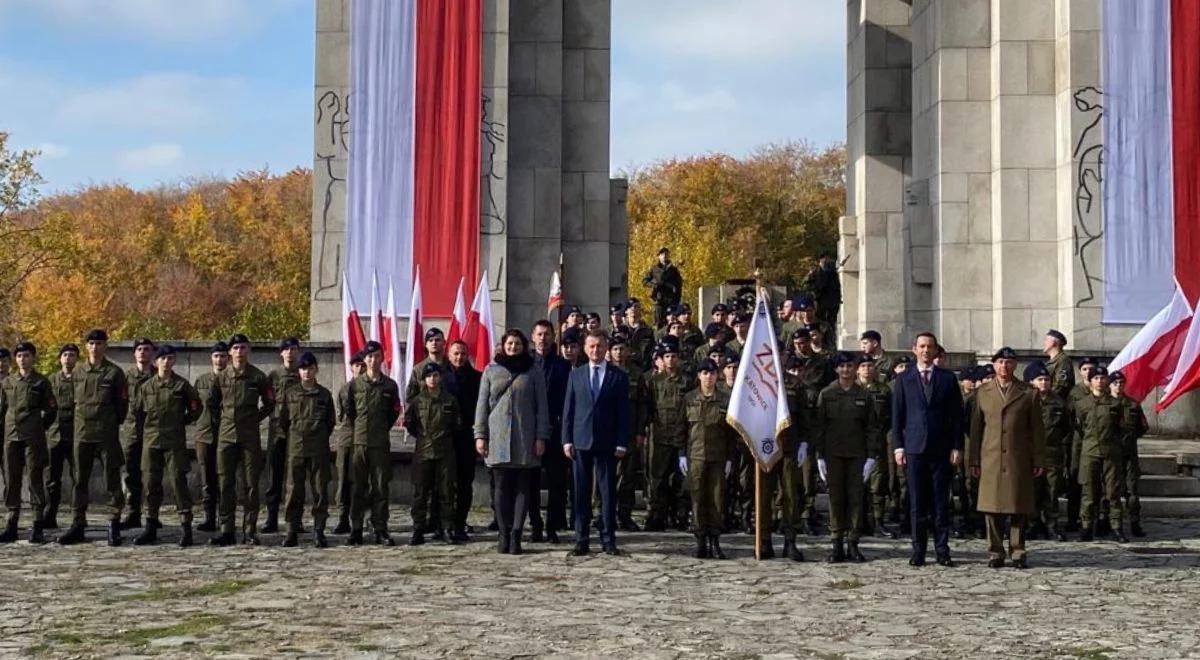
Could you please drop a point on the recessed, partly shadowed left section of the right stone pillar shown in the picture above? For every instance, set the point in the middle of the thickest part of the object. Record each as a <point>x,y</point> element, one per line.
<point>879,151</point>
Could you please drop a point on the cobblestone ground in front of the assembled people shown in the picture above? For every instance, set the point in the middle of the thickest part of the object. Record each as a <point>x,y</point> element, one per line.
<point>1094,601</point>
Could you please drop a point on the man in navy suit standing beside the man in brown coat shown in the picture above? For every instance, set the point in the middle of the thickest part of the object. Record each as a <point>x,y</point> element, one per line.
<point>927,425</point>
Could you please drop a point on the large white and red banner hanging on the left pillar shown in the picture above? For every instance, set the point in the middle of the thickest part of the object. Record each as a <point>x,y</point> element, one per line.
<point>413,178</point>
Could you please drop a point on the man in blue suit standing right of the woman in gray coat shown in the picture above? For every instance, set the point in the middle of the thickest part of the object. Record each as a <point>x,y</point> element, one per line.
<point>596,434</point>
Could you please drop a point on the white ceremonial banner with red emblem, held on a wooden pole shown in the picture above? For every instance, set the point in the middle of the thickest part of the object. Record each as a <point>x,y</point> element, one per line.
<point>759,404</point>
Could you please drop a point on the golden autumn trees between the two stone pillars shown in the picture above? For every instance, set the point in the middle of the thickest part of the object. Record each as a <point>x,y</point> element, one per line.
<point>719,214</point>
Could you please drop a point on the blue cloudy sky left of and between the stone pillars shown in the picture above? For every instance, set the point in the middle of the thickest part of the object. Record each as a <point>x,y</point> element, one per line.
<point>152,92</point>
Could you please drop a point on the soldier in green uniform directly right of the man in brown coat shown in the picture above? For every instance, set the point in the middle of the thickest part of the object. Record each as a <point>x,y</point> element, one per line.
<point>1058,423</point>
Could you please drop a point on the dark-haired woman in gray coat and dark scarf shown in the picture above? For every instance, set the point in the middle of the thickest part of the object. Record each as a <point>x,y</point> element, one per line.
<point>512,429</point>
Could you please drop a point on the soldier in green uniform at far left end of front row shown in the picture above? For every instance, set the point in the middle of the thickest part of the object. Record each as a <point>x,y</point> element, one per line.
<point>28,409</point>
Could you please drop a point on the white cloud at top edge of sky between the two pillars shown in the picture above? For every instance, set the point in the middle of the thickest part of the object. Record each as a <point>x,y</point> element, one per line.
<point>724,29</point>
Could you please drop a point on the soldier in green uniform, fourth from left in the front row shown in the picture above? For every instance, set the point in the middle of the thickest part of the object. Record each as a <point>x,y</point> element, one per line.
<point>245,398</point>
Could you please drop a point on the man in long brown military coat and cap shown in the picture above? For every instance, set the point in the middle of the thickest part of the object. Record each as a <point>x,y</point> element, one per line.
<point>1007,455</point>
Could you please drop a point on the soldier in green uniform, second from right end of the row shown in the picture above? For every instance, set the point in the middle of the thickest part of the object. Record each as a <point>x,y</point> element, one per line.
<point>1100,419</point>
